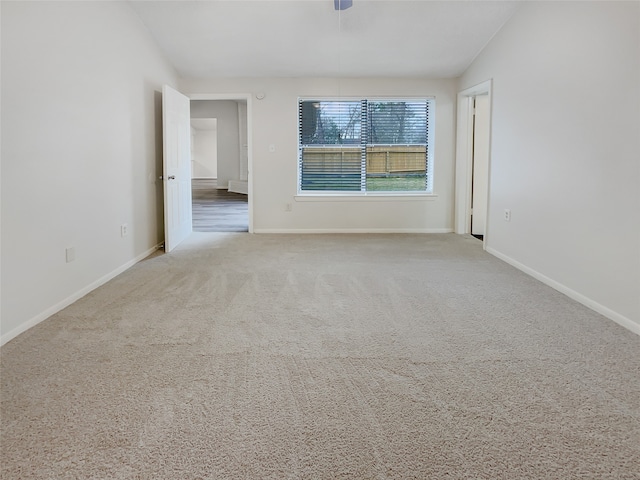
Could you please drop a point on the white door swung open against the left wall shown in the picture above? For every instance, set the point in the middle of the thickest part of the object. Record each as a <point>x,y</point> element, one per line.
<point>176,162</point>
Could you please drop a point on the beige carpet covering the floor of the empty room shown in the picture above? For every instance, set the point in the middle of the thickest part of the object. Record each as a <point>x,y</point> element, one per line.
<point>322,357</point>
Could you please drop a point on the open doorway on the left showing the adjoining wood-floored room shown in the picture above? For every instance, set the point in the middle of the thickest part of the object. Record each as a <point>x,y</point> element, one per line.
<point>220,191</point>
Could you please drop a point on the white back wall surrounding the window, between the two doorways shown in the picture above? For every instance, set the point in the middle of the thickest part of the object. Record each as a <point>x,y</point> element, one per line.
<point>274,123</point>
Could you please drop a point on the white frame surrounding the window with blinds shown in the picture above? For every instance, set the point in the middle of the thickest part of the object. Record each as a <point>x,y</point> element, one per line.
<point>364,145</point>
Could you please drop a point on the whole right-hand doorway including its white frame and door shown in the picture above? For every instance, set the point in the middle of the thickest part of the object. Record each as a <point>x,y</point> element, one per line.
<point>473,153</point>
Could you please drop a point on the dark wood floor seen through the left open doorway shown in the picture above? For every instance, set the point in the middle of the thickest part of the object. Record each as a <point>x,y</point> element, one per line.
<point>218,210</point>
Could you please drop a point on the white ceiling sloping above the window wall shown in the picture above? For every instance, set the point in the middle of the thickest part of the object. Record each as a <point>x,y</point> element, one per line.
<point>308,38</point>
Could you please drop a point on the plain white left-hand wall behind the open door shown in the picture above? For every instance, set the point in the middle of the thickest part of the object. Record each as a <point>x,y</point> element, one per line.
<point>81,151</point>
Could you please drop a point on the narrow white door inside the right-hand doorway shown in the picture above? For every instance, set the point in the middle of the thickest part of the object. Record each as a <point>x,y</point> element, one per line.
<point>480,183</point>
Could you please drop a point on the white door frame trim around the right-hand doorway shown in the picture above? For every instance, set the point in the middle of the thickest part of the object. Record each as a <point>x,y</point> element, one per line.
<point>464,158</point>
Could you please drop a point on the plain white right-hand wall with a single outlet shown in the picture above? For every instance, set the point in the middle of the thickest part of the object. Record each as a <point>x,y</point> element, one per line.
<point>566,149</point>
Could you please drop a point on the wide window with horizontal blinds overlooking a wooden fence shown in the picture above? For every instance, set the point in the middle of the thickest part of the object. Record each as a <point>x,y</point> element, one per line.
<point>364,146</point>
